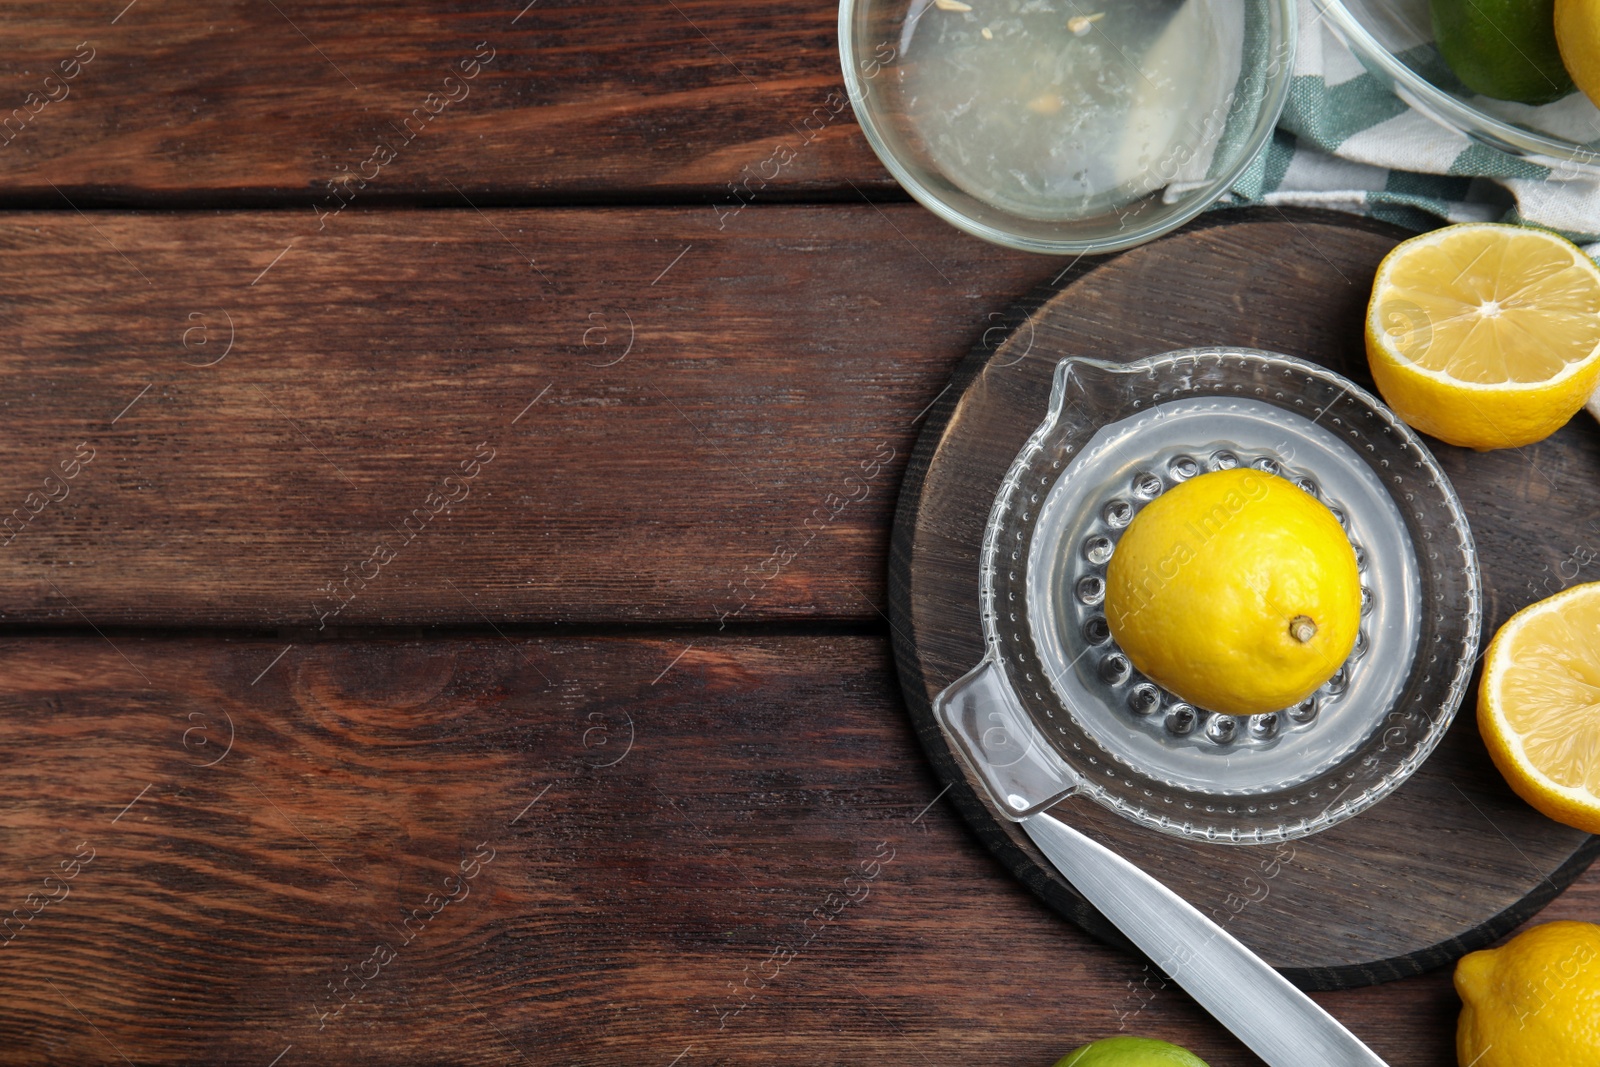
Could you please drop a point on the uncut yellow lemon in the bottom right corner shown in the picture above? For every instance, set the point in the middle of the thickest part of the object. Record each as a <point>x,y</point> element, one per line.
<point>1535,1002</point>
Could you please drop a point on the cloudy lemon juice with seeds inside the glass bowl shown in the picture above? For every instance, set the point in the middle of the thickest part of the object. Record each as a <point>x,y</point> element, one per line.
<point>1066,110</point>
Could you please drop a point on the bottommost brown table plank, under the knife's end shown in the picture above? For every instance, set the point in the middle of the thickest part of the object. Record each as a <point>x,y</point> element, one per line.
<point>631,887</point>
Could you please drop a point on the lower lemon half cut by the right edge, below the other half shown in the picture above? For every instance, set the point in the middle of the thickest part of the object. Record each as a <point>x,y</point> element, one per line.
<point>1540,706</point>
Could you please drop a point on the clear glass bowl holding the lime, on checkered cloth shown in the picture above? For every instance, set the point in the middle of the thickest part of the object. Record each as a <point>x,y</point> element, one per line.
<point>1394,41</point>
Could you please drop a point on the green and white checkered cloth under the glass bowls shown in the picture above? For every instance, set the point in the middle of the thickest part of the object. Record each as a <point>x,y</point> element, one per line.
<point>1348,143</point>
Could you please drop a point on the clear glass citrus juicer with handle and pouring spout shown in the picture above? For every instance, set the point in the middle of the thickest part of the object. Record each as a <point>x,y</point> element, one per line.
<point>1055,709</point>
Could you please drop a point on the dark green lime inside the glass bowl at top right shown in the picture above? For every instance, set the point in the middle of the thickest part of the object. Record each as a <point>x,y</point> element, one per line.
<point>1503,49</point>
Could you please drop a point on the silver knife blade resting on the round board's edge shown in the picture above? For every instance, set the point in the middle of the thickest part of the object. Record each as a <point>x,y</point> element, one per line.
<point>1279,1023</point>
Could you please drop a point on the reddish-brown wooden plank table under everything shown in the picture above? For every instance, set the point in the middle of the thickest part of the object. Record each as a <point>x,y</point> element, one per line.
<point>420,641</point>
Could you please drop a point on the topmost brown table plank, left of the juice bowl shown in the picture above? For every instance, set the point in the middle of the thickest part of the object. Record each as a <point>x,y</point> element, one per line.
<point>271,103</point>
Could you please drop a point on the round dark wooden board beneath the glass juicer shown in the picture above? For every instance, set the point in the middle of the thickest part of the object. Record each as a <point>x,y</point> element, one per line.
<point>1452,860</point>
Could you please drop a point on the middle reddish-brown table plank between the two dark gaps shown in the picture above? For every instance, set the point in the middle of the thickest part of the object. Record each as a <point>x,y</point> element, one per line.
<point>666,422</point>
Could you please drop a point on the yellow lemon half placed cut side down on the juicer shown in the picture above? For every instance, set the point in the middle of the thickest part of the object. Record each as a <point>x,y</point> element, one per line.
<point>1238,591</point>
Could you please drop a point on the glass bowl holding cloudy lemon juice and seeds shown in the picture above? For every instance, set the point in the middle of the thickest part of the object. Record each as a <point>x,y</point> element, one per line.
<point>1068,126</point>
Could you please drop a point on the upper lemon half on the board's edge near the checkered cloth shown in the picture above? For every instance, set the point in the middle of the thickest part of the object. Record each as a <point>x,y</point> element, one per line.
<point>1486,335</point>
